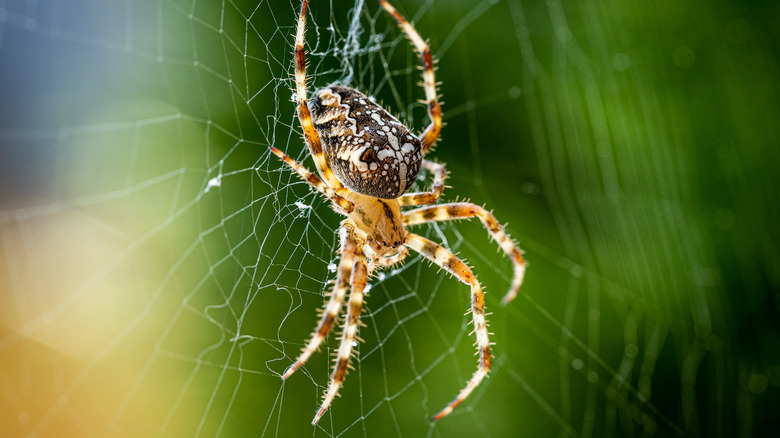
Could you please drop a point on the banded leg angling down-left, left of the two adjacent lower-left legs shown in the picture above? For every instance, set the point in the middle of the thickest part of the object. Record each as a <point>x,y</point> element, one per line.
<point>332,309</point>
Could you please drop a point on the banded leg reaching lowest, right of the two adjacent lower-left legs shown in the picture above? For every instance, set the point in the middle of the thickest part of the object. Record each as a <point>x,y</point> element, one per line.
<point>359,275</point>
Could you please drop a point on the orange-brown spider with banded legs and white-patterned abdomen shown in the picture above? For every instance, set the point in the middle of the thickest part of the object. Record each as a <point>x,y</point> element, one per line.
<point>366,161</point>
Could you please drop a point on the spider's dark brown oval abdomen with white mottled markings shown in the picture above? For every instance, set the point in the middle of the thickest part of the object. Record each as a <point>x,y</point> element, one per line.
<point>369,150</point>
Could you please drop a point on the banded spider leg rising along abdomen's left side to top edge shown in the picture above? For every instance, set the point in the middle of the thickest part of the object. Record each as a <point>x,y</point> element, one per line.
<point>304,115</point>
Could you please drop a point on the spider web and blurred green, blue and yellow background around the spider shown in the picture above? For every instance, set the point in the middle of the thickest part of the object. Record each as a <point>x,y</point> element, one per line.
<point>160,270</point>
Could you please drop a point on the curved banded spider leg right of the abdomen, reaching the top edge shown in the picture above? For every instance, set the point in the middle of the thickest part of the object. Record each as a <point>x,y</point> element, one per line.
<point>431,133</point>
